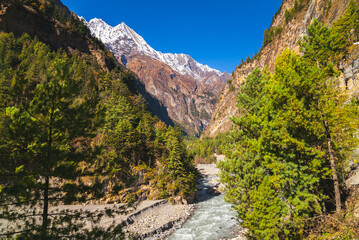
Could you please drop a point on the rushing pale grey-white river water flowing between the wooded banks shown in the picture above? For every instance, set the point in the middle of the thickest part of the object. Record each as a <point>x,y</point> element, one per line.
<point>212,219</point>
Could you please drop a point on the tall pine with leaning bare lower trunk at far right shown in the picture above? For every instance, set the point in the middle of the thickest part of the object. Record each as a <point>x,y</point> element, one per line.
<point>337,110</point>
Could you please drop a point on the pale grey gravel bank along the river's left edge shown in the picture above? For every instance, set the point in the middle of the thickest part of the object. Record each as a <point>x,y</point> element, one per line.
<point>149,220</point>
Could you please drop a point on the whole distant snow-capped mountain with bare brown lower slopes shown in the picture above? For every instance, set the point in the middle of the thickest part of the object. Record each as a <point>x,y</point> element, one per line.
<point>187,88</point>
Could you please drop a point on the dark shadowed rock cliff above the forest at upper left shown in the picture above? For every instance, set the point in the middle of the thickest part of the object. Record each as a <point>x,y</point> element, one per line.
<point>20,19</point>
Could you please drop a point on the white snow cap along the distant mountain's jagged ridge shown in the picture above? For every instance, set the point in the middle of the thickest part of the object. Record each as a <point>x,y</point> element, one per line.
<point>124,41</point>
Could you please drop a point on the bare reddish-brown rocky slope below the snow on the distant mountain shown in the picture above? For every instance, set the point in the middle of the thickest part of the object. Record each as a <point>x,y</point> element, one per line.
<point>188,103</point>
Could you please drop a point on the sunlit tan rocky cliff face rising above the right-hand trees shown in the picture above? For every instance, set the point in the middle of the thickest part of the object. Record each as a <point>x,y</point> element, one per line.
<point>323,10</point>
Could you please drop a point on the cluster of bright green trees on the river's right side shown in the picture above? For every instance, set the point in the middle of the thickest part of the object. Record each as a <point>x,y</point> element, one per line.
<point>293,144</point>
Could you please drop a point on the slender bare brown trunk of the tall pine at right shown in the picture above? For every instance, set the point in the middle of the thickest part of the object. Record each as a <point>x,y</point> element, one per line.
<point>338,202</point>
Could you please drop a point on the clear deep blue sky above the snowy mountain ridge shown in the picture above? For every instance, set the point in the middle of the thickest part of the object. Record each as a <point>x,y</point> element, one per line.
<point>217,33</point>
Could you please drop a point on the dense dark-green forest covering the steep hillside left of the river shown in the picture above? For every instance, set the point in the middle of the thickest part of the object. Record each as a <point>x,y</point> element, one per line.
<point>72,132</point>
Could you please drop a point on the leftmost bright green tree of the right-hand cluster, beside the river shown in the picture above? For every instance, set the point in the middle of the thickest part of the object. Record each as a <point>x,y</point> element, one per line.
<point>243,170</point>
